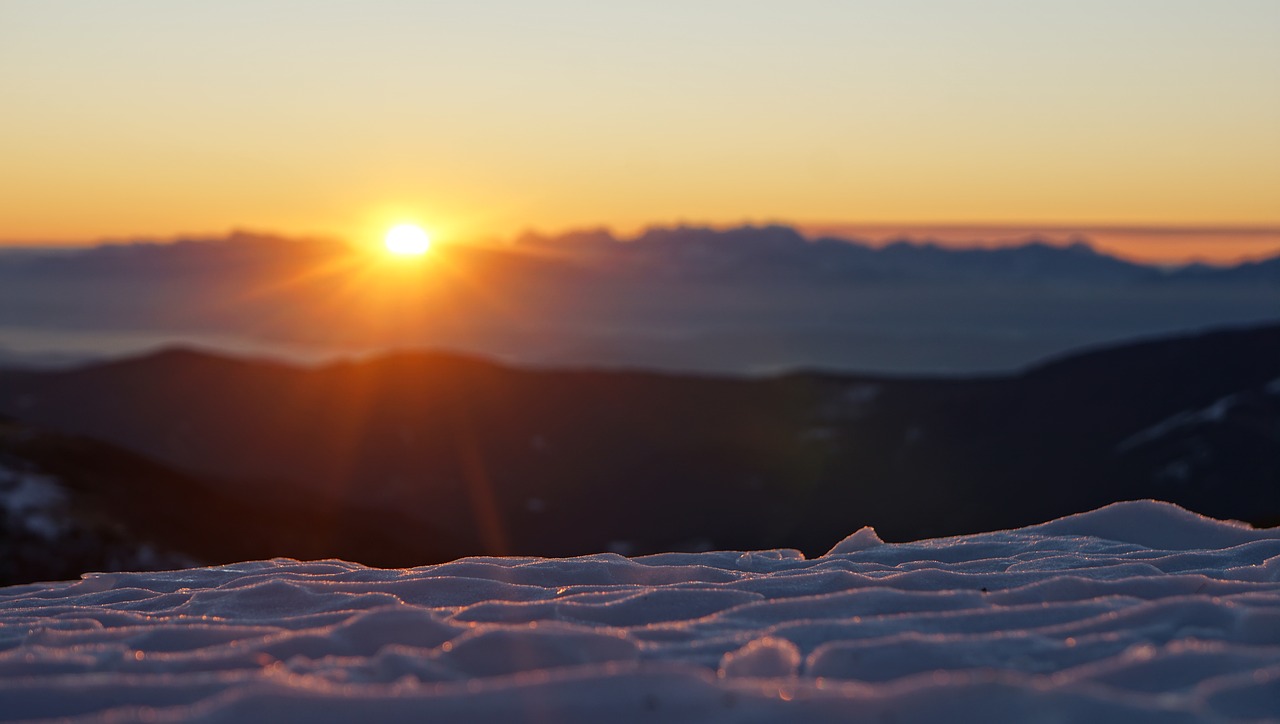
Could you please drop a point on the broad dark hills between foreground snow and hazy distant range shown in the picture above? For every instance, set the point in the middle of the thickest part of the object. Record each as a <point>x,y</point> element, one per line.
<point>564,462</point>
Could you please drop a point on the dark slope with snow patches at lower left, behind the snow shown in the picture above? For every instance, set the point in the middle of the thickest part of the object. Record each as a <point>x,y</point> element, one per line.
<point>70,505</point>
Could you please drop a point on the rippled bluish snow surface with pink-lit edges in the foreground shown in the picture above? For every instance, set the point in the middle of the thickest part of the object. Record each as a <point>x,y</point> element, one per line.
<point>1135,613</point>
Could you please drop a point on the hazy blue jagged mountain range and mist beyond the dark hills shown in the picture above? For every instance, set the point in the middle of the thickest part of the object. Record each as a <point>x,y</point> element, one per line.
<point>689,300</point>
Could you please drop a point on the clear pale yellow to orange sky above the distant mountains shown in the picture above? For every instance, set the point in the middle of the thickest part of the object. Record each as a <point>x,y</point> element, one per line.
<point>482,118</point>
